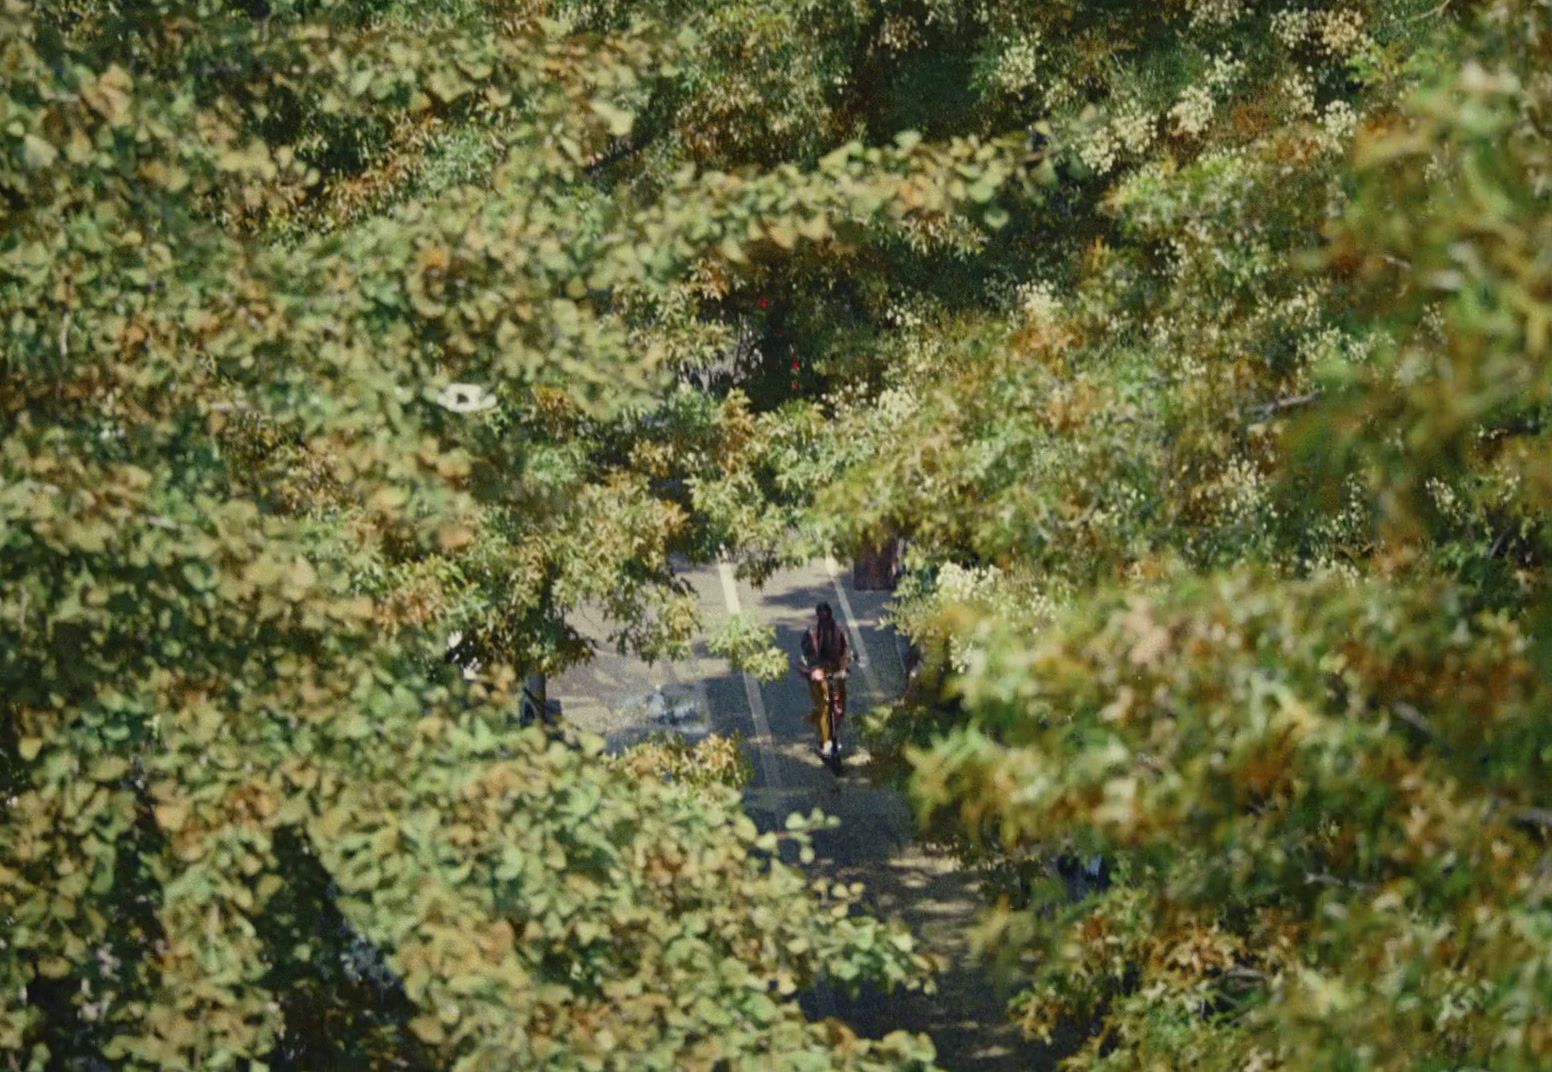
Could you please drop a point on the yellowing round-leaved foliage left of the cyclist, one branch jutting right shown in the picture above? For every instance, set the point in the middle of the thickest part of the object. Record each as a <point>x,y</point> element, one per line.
<point>330,344</point>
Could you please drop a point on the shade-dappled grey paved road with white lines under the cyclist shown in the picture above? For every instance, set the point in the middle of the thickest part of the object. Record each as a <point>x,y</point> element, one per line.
<point>622,699</point>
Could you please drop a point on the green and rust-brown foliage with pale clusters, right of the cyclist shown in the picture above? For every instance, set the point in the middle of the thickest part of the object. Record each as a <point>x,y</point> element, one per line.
<point>1228,494</point>
